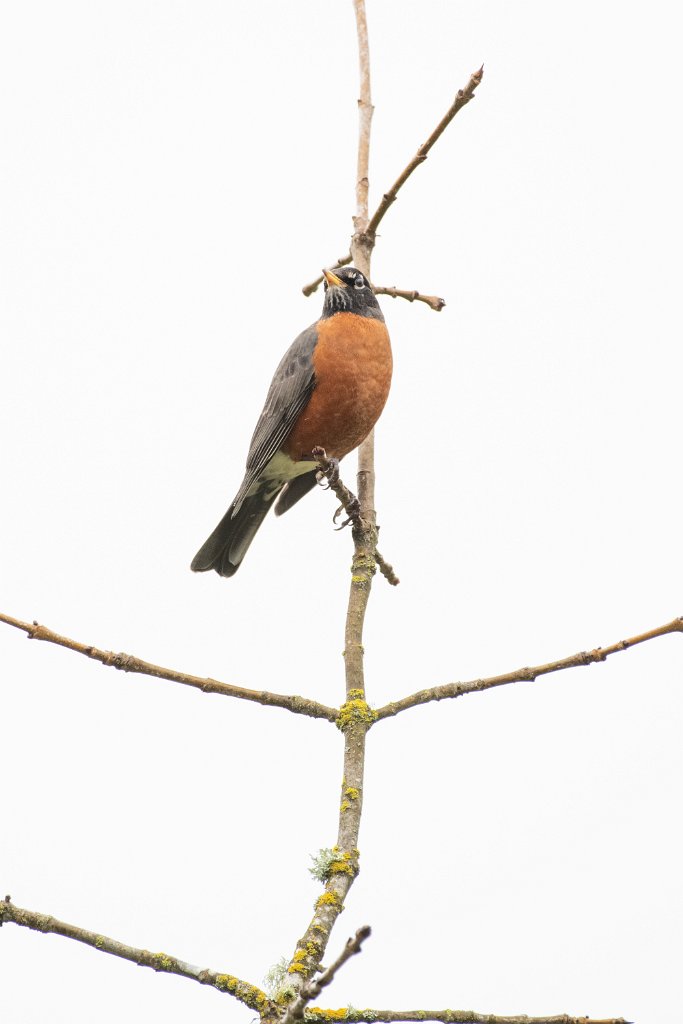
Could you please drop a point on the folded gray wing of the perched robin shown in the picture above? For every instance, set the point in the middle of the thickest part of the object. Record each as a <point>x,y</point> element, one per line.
<point>290,391</point>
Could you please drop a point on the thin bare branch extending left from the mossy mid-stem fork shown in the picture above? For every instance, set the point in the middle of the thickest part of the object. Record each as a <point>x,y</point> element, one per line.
<point>127,663</point>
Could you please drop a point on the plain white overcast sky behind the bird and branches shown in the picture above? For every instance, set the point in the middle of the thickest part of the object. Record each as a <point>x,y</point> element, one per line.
<point>173,175</point>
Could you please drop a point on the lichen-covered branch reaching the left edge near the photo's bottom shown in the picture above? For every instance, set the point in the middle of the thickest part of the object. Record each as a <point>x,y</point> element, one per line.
<point>242,991</point>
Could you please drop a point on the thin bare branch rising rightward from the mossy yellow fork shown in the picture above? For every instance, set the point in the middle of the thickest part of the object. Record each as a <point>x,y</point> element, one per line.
<point>525,675</point>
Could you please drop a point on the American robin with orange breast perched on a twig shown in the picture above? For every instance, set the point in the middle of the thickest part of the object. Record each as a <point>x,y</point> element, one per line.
<point>329,391</point>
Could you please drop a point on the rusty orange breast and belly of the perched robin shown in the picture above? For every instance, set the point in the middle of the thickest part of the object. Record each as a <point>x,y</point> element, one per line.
<point>353,364</point>
